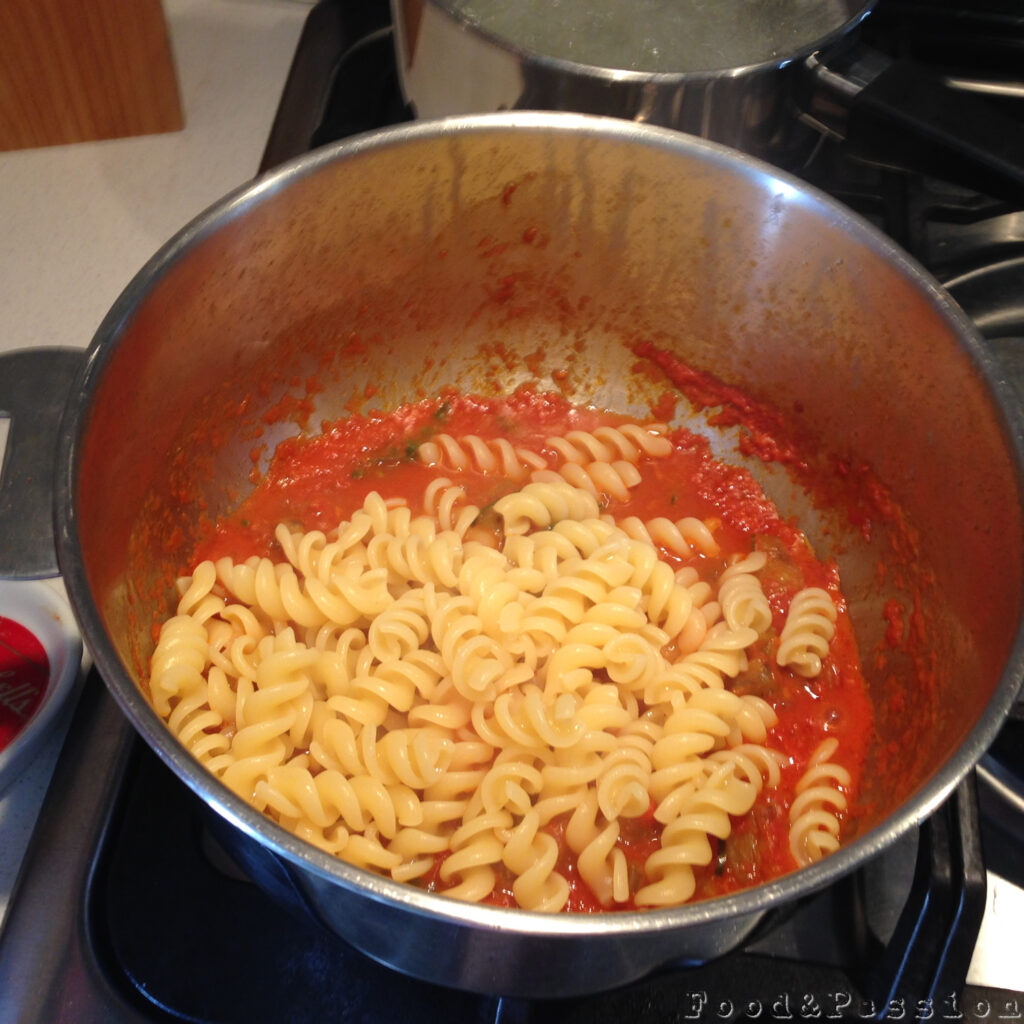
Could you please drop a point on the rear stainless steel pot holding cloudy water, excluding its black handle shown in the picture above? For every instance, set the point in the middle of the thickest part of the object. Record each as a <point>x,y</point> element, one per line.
<point>449,64</point>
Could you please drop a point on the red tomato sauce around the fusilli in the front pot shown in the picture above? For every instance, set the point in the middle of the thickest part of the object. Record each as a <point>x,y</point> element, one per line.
<point>318,482</point>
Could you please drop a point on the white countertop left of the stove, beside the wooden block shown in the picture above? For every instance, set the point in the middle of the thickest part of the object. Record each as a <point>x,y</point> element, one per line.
<point>78,222</point>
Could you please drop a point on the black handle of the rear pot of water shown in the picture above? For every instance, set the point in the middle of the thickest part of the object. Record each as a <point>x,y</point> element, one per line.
<point>901,113</point>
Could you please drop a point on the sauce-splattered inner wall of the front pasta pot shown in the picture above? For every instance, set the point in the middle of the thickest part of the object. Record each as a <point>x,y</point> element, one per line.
<point>498,257</point>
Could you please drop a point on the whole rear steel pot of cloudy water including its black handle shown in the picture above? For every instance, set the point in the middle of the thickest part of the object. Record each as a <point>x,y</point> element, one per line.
<point>772,78</point>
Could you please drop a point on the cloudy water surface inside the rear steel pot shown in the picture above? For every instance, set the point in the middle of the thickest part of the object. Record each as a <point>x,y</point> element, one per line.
<point>663,36</point>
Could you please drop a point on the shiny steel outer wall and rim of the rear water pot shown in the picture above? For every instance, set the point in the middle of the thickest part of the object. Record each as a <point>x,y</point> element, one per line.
<point>449,66</point>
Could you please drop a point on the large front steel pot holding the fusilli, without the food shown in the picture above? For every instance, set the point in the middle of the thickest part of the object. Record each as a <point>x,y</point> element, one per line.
<point>394,264</point>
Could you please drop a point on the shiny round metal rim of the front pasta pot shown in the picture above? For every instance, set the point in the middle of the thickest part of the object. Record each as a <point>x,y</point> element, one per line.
<point>132,701</point>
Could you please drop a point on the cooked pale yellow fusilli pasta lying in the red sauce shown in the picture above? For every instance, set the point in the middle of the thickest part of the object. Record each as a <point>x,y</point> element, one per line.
<point>422,697</point>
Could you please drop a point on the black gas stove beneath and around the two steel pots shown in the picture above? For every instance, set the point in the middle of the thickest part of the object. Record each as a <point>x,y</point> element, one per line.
<point>130,911</point>
